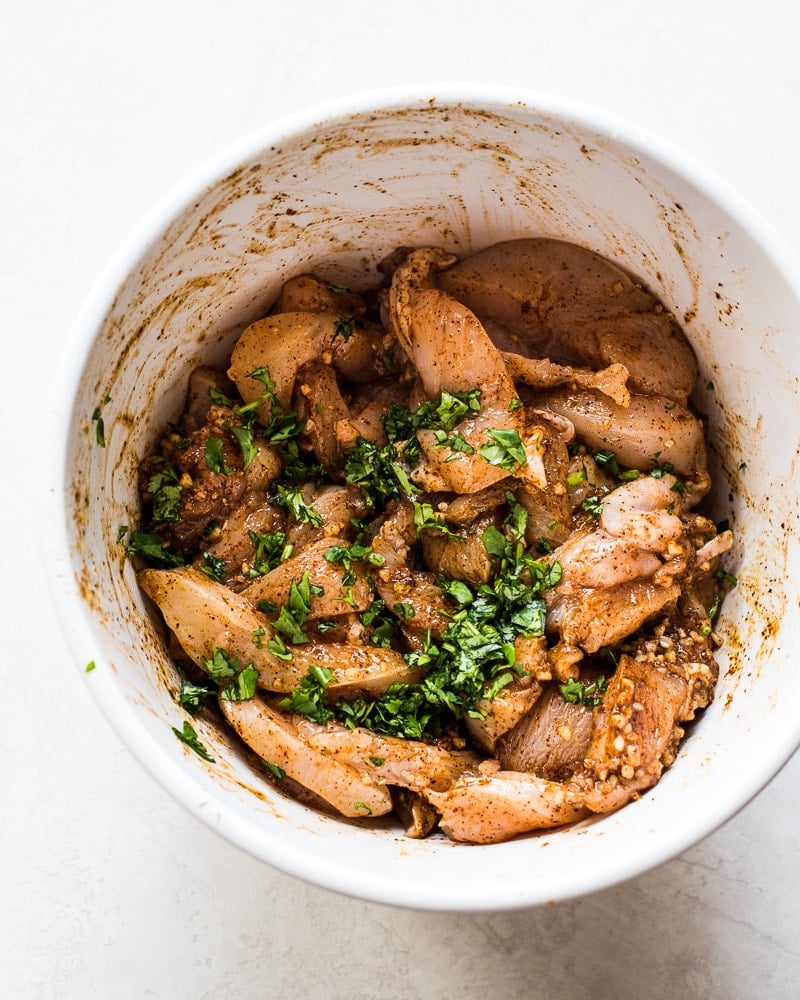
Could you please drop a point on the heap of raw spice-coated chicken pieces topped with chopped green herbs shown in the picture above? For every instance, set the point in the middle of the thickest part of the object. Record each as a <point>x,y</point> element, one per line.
<point>435,549</point>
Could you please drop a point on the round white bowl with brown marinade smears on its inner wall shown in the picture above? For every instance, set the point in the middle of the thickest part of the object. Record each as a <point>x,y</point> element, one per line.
<point>333,190</point>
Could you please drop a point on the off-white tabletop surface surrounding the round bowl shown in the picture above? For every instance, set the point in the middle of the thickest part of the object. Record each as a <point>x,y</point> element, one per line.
<point>108,888</point>
